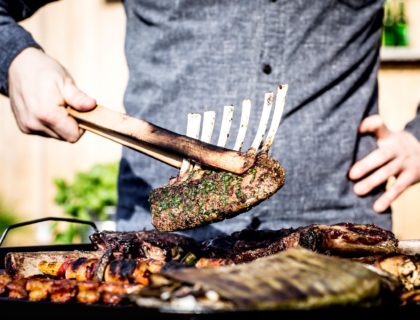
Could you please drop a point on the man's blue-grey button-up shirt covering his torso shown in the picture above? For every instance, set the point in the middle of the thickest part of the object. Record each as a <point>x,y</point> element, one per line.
<point>192,56</point>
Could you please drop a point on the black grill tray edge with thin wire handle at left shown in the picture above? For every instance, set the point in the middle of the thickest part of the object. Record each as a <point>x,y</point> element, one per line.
<point>49,310</point>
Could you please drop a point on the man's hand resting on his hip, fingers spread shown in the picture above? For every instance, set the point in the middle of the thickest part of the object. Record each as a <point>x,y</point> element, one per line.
<point>398,155</point>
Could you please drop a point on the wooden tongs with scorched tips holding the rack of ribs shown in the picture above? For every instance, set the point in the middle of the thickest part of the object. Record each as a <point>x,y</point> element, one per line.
<point>159,143</point>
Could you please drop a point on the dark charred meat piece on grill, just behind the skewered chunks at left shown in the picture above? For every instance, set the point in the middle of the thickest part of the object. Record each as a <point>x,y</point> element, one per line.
<point>144,244</point>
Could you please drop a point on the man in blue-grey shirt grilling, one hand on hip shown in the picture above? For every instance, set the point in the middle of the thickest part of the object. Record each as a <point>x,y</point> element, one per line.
<point>186,56</point>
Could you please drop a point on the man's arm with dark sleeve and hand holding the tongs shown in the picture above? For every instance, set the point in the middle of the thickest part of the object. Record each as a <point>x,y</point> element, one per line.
<point>38,86</point>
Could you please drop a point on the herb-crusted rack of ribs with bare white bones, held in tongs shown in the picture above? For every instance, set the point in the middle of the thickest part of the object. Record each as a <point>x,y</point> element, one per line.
<point>198,197</point>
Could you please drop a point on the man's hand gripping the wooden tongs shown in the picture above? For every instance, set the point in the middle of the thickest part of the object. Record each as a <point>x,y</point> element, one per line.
<point>39,90</point>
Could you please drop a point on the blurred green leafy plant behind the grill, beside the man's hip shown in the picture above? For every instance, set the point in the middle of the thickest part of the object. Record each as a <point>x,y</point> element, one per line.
<point>87,197</point>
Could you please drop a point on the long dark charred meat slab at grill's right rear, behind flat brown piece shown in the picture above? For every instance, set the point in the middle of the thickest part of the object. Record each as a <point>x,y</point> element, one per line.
<point>343,239</point>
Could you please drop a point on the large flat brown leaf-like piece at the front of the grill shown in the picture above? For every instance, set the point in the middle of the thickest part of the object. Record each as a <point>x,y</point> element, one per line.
<point>294,279</point>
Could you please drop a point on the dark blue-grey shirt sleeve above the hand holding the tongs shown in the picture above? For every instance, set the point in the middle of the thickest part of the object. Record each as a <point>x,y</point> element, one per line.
<point>13,38</point>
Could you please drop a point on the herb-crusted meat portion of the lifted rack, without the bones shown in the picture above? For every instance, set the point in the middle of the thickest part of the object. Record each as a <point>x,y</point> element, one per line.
<point>207,196</point>
